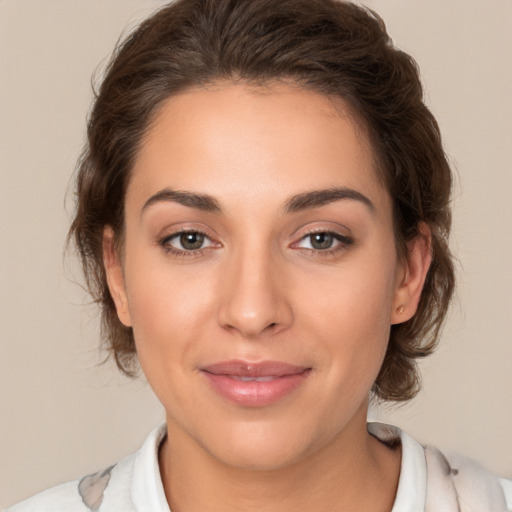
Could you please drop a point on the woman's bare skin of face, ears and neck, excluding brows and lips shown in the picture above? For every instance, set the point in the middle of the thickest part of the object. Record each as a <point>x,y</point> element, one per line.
<point>258,289</point>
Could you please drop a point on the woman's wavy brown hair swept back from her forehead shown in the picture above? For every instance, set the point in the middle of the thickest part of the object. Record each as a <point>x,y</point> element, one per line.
<point>332,47</point>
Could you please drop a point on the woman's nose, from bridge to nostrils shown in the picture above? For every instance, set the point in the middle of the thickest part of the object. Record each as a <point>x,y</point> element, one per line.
<point>254,298</point>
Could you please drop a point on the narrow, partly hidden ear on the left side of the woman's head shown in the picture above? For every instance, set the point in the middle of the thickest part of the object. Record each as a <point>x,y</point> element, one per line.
<point>115,276</point>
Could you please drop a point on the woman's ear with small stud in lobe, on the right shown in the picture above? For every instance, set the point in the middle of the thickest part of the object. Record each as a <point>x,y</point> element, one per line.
<point>411,276</point>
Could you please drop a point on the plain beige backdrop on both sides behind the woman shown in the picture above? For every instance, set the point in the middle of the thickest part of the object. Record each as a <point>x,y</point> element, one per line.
<point>61,416</point>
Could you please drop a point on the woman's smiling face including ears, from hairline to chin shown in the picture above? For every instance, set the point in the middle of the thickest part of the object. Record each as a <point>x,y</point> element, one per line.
<point>259,272</point>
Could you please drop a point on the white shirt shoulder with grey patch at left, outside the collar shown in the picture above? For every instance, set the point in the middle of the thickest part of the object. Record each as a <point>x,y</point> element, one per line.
<point>110,487</point>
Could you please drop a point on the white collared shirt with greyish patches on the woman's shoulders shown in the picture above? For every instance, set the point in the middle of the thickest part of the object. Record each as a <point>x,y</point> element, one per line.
<point>429,482</point>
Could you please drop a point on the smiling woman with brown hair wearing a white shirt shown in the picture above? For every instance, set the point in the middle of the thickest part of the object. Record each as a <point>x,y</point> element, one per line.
<point>263,213</point>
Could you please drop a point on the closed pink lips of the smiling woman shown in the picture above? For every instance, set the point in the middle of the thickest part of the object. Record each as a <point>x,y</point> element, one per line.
<point>254,384</point>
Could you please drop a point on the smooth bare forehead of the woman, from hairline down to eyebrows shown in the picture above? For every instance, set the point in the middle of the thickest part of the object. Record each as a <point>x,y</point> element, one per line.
<point>236,141</point>
